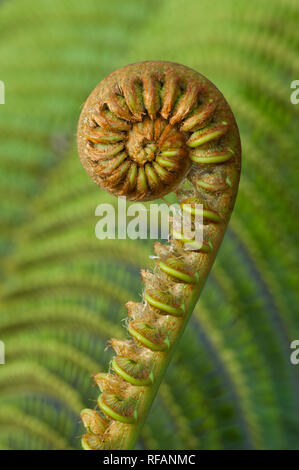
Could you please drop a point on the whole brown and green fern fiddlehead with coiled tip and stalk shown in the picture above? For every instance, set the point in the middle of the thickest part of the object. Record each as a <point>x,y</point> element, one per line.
<point>146,130</point>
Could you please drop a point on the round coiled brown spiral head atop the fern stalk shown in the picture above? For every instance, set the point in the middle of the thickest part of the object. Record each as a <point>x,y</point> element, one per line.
<point>142,127</point>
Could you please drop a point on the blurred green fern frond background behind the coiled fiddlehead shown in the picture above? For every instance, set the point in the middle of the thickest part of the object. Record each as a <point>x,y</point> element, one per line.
<point>231,384</point>
